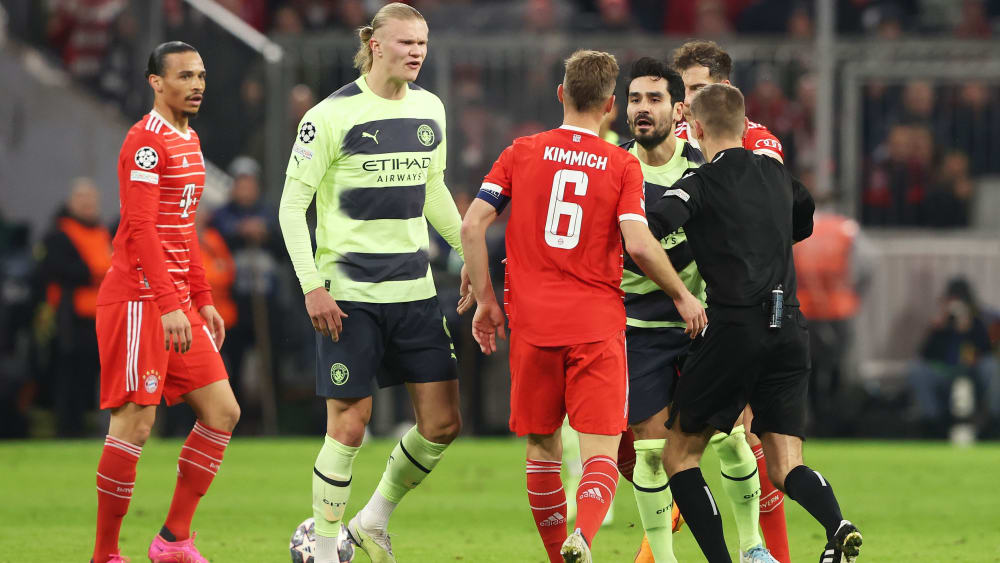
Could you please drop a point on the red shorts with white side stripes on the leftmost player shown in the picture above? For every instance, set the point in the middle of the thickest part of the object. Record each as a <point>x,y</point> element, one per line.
<point>135,367</point>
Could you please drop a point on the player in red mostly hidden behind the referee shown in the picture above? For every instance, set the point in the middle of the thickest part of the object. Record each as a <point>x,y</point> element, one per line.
<point>701,63</point>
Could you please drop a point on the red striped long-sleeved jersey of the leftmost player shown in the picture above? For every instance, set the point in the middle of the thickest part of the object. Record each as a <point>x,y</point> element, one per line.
<point>161,174</point>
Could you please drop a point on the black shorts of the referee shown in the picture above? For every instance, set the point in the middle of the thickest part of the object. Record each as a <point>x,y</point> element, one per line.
<point>739,360</point>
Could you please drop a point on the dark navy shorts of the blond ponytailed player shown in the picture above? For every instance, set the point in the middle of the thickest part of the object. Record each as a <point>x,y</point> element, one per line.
<point>387,343</point>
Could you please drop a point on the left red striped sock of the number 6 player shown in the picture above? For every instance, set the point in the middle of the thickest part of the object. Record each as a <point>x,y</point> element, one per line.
<point>547,500</point>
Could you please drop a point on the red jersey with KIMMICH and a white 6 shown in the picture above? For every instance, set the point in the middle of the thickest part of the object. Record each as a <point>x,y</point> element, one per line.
<point>568,190</point>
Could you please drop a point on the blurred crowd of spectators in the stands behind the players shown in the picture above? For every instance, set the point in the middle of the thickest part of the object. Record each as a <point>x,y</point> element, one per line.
<point>916,159</point>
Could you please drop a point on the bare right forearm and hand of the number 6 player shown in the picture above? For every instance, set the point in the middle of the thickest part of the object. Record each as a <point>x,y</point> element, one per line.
<point>648,254</point>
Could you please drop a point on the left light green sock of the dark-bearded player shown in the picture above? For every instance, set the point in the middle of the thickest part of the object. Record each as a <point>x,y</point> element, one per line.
<point>653,497</point>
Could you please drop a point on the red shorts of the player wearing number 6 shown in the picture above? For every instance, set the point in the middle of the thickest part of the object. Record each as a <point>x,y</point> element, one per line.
<point>587,381</point>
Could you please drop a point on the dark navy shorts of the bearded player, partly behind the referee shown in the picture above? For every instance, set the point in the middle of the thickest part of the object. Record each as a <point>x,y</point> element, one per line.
<point>654,356</point>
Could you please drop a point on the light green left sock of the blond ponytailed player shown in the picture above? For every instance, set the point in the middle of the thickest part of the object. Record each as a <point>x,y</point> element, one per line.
<point>332,485</point>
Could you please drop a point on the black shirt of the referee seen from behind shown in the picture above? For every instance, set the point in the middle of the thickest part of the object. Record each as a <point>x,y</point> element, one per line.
<point>741,212</point>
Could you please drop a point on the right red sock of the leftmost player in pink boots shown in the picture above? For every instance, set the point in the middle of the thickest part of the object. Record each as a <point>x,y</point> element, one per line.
<point>200,459</point>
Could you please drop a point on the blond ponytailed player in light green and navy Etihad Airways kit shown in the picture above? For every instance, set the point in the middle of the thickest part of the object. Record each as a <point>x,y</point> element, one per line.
<point>373,155</point>
